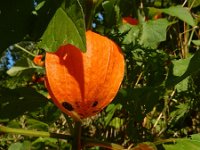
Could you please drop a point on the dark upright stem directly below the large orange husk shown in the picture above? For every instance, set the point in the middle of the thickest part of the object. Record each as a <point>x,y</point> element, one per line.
<point>76,145</point>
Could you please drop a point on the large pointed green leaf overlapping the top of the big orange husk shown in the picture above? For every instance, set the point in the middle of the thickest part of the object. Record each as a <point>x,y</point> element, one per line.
<point>66,27</point>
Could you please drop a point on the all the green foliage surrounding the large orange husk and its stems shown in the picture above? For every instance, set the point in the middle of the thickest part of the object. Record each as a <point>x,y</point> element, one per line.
<point>158,102</point>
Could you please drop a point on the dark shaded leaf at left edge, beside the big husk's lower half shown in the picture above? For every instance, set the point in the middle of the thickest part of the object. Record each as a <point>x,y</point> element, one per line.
<point>14,103</point>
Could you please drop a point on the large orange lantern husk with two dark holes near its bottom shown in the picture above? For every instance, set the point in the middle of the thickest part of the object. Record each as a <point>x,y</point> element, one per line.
<point>82,84</point>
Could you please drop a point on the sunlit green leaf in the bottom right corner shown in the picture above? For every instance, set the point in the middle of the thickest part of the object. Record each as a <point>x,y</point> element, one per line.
<point>192,142</point>
